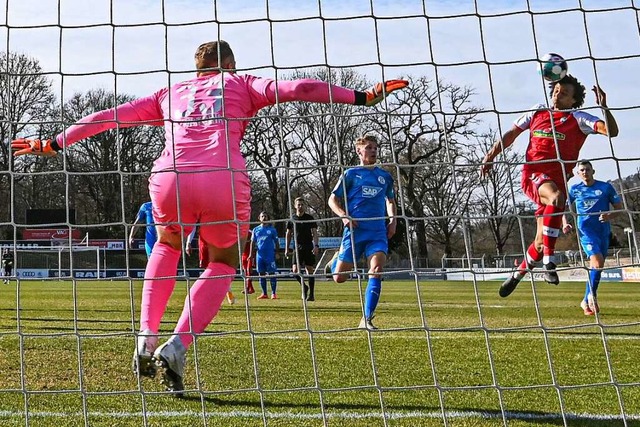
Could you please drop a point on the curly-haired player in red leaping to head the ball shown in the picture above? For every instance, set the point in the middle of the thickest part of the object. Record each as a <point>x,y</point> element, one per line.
<point>556,137</point>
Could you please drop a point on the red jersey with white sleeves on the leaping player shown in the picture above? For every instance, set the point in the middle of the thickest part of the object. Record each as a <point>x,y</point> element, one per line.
<point>571,130</point>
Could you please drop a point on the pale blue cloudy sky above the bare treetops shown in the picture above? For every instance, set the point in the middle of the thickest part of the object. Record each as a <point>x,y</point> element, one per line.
<point>489,45</point>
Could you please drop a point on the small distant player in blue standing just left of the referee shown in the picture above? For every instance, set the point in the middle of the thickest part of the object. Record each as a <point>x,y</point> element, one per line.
<point>264,239</point>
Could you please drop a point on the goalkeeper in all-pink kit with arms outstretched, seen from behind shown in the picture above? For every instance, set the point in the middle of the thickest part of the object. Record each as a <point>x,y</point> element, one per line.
<point>205,119</point>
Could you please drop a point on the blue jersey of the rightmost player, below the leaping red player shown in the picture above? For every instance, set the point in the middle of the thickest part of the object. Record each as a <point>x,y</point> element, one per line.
<point>590,202</point>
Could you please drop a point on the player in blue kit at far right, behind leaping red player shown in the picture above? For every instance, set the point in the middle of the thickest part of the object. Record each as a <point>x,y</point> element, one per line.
<point>593,200</point>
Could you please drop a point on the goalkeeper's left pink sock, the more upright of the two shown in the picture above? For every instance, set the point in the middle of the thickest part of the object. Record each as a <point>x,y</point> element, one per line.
<point>163,262</point>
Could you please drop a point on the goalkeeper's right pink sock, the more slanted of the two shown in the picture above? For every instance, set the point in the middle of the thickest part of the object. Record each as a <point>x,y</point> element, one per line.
<point>207,294</point>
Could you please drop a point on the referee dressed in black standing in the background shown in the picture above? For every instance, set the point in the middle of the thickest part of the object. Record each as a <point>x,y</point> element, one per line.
<point>304,230</point>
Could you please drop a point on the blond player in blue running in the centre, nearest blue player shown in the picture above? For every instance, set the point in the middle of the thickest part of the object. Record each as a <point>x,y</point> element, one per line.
<point>364,198</point>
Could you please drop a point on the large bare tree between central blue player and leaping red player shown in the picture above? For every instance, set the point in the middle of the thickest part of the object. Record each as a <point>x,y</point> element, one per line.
<point>423,120</point>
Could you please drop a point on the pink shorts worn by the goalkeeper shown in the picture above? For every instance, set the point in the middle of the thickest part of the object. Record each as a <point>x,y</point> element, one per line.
<point>218,201</point>
